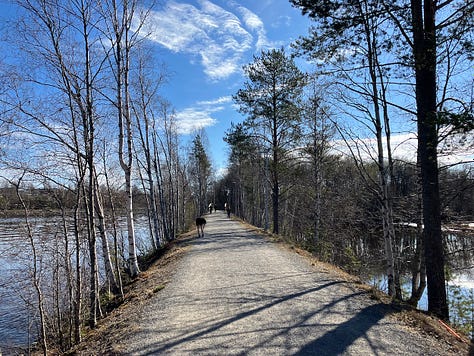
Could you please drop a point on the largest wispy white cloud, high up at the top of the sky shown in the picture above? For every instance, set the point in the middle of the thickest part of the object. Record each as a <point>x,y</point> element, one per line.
<point>214,35</point>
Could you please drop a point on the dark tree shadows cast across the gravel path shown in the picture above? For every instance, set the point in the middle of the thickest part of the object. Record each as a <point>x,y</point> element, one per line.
<point>333,342</point>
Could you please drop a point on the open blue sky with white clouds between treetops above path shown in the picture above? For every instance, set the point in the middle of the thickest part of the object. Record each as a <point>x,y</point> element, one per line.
<point>204,45</point>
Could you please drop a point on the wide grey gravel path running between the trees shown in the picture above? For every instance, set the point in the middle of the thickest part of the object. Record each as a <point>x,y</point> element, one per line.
<point>235,293</point>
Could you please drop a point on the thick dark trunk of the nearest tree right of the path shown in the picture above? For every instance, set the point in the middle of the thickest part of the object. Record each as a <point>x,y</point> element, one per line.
<point>424,34</point>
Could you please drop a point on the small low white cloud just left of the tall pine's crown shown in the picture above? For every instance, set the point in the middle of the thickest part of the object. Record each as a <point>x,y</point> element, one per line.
<point>200,115</point>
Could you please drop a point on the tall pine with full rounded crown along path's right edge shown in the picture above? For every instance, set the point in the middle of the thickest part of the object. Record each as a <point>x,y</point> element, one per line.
<point>271,98</point>
